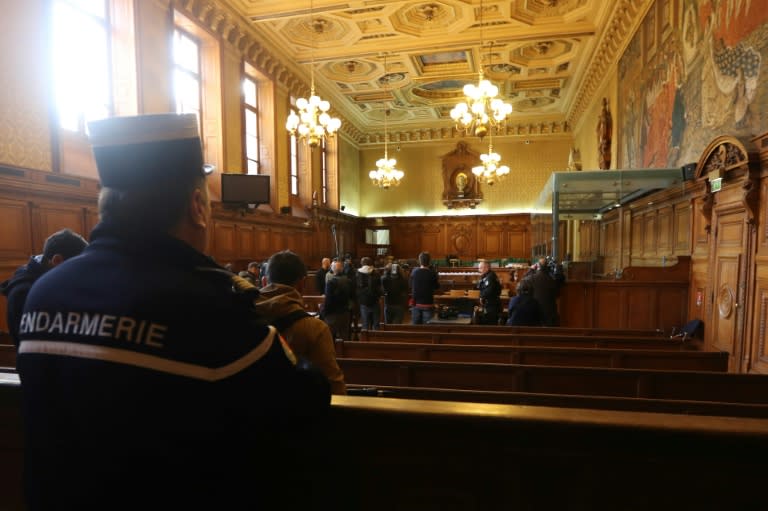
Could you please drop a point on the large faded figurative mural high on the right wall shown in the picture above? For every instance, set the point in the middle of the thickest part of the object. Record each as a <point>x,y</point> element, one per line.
<point>695,69</point>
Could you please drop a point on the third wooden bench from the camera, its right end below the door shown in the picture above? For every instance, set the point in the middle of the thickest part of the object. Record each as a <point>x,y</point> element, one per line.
<point>692,360</point>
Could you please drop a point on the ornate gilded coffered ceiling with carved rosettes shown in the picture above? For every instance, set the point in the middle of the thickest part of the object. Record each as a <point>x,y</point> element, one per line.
<point>544,55</point>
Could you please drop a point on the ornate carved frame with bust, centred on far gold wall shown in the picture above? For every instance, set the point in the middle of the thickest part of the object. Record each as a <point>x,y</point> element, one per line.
<point>460,186</point>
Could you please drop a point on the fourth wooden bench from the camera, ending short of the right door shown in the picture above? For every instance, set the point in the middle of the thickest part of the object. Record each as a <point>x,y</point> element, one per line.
<point>509,339</point>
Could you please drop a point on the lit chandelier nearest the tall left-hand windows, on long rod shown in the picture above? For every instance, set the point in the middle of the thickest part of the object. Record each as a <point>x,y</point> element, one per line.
<point>313,122</point>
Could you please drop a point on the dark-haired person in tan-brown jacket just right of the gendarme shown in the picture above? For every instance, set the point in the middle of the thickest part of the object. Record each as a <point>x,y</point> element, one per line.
<point>282,304</point>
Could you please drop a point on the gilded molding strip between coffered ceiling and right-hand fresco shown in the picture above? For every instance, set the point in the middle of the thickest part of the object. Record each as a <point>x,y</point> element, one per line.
<point>625,18</point>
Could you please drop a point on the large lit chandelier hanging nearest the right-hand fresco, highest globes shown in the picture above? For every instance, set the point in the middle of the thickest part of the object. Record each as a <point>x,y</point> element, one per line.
<point>481,110</point>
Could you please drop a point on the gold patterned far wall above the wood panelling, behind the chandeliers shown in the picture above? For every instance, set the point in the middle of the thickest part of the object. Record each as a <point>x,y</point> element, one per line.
<point>420,193</point>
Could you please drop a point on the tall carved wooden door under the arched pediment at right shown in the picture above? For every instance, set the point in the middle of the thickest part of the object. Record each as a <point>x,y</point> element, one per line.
<point>731,238</point>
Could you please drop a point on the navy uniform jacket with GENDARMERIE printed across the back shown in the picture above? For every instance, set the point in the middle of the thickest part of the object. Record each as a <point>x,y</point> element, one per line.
<point>148,382</point>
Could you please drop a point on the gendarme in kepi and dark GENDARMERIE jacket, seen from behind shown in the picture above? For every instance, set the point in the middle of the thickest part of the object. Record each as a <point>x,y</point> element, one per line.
<point>147,378</point>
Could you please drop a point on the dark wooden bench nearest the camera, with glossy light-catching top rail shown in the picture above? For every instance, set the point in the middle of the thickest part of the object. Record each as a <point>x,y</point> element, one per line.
<point>416,454</point>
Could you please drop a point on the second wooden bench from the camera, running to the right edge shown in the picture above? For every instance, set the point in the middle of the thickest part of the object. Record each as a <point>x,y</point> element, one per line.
<point>594,381</point>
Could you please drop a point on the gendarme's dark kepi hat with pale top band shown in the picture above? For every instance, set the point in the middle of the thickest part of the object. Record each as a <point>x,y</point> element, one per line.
<point>145,150</point>
